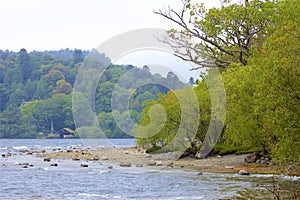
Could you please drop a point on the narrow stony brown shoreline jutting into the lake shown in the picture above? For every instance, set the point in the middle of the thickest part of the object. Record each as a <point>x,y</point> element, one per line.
<point>132,156</point>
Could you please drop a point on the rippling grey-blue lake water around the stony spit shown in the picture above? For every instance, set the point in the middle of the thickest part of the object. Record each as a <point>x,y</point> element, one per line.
<point>69,181</point>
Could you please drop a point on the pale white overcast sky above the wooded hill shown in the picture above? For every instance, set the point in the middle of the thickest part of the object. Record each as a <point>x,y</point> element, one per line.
<point>85,24</point>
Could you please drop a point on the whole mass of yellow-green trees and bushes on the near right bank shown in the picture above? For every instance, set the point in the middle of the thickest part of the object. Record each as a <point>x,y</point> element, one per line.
<point>256,47</point>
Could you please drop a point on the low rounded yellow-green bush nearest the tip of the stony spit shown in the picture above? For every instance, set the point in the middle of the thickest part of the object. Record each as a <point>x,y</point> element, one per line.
<point>169,120</point>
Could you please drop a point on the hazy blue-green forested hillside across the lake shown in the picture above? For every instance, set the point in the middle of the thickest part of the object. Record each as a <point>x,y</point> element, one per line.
<point>36,92</point>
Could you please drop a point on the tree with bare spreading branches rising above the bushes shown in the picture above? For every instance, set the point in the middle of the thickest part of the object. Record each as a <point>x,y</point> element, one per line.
<point>221,35</point>
